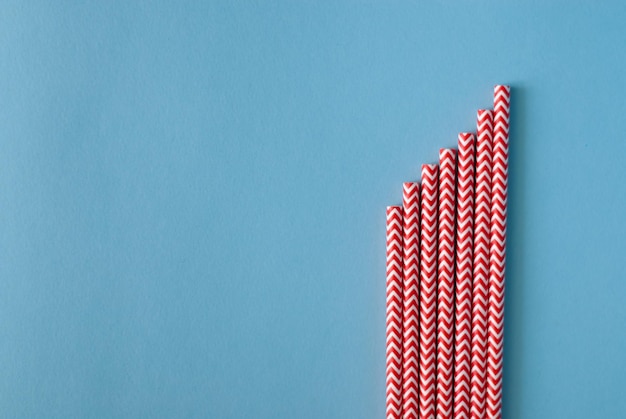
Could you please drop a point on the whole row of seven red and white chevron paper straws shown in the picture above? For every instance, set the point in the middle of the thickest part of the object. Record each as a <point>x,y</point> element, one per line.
<point>445,279</point>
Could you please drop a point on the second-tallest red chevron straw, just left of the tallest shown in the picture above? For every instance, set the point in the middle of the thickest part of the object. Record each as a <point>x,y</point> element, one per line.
<point>478,380</point>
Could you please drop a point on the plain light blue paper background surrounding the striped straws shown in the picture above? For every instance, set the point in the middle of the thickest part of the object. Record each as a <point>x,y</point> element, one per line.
<point>192,200</point>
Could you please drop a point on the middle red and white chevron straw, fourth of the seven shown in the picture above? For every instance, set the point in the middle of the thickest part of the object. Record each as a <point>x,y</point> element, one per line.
<point>445,282</point>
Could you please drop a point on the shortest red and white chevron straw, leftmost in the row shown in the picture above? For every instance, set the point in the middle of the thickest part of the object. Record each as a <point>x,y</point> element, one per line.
<point>394,312</point>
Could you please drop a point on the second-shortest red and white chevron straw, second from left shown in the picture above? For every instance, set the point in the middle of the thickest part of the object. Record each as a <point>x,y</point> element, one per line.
<point>410,342</point>
